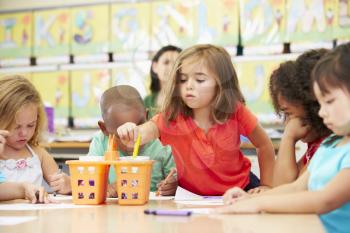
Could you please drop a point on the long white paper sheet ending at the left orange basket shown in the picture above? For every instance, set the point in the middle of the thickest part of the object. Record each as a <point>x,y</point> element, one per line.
<point>28,206</point>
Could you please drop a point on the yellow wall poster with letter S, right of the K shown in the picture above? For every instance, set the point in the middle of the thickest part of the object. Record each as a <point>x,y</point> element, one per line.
<point>90,30</point>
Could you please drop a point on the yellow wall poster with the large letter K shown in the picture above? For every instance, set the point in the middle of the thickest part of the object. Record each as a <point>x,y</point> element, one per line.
<point>51,32</point>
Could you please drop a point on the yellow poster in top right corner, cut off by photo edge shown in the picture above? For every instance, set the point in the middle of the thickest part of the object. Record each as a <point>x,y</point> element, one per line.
<point>342,20</point>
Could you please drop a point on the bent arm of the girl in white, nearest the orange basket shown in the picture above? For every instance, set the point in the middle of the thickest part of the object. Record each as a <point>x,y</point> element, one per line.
<point>58,181</point>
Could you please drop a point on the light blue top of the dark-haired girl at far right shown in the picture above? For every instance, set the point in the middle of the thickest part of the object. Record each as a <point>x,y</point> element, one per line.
<point>327,162</point>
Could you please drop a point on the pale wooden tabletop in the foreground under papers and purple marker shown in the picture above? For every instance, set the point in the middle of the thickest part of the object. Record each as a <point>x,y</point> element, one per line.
<point>114,218</point>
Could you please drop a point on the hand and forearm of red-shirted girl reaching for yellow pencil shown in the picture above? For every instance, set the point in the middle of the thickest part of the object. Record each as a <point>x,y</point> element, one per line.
<point>128,132</point>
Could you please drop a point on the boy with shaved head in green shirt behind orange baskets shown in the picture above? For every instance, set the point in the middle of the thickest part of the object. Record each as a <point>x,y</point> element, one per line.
<point>121,104</point>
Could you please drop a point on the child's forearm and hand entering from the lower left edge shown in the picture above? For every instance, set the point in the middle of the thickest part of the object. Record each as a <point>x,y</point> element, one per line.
<point>16,190</point>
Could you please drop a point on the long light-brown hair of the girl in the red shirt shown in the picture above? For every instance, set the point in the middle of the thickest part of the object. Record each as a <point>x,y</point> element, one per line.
<point>219,64</point>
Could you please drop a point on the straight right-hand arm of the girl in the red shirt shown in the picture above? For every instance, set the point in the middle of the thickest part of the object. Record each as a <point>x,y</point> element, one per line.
<point>265,153</point>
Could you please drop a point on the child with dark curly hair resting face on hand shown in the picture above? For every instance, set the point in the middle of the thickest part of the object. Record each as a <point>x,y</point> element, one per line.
<point>291,93</point>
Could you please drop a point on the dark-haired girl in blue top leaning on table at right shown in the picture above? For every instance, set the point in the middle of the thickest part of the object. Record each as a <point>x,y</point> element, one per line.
<point>325,188</point>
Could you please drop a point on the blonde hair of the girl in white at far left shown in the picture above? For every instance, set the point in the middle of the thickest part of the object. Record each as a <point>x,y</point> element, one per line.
<point>15,92</point>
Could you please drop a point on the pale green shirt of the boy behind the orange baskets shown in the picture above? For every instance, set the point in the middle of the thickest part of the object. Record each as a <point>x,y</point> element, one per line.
<point>162,156</point>
